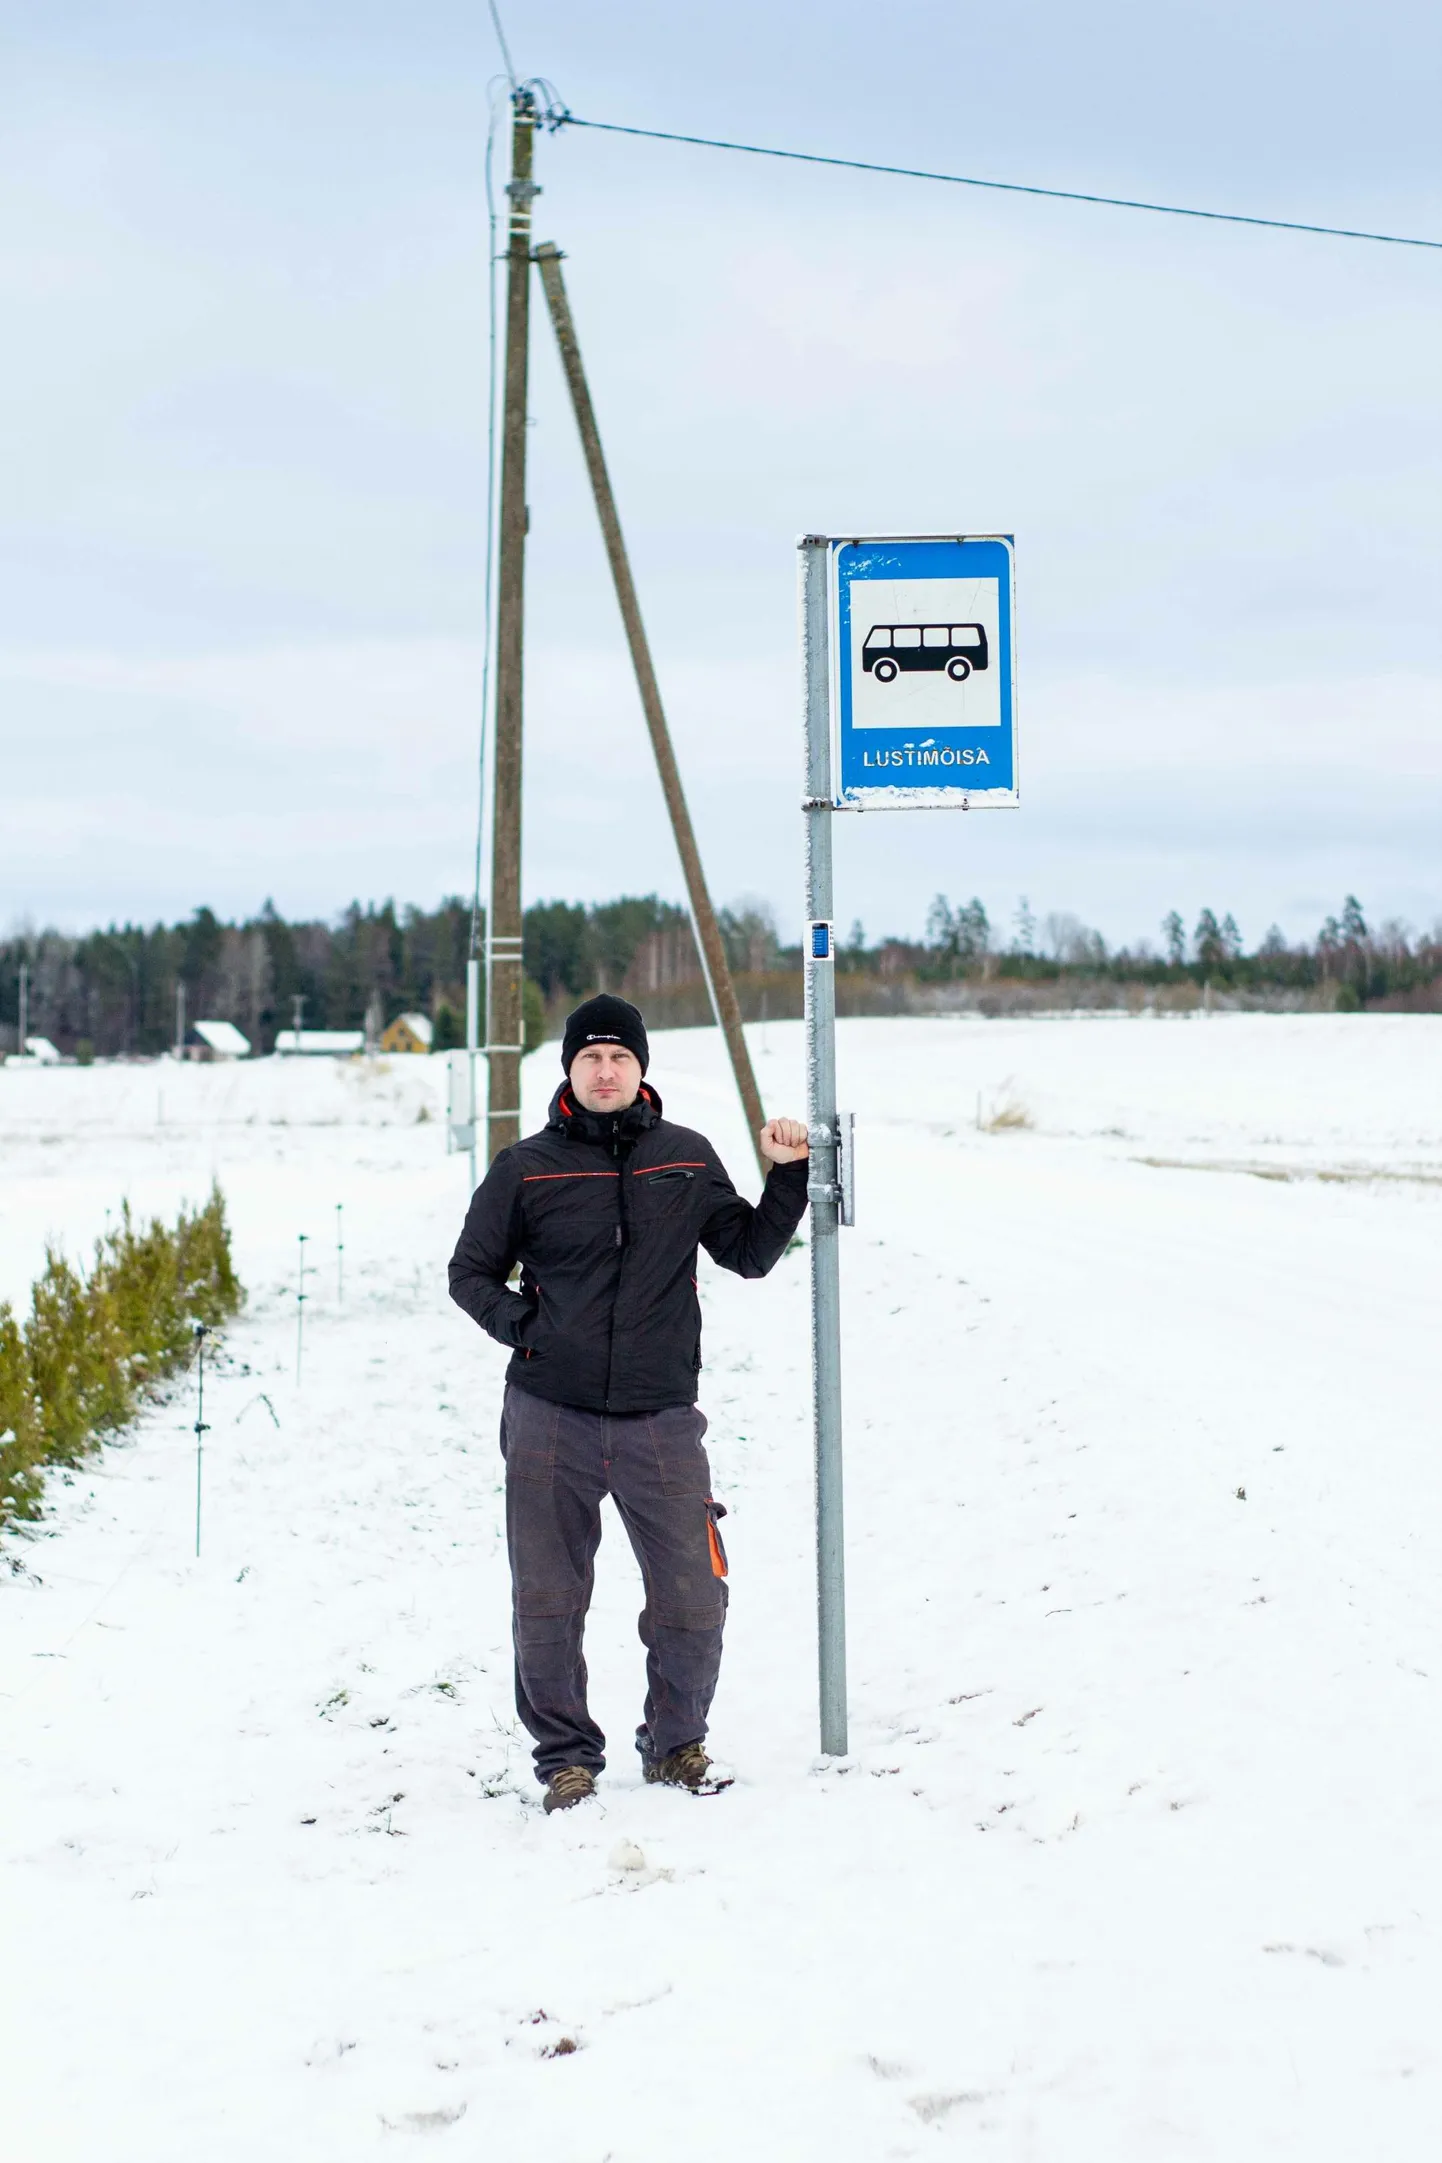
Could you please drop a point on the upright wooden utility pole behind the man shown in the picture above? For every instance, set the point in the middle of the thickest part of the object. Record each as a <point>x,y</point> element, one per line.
<point>505,972</point>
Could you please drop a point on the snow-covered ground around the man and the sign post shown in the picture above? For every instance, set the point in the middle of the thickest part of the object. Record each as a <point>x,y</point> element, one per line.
<point>1140,1848</point>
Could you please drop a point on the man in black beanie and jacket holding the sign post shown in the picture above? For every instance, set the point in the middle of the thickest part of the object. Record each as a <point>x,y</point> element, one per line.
<point>604,1212</point>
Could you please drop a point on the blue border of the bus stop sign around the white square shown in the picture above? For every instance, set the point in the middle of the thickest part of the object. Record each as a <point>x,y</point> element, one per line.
<point>948,773</point>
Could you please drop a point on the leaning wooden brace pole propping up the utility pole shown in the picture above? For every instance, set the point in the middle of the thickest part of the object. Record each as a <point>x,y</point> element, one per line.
<point>704,916</point>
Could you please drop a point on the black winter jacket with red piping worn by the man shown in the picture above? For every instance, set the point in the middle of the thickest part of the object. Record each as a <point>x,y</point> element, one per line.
<point>604,1217</point>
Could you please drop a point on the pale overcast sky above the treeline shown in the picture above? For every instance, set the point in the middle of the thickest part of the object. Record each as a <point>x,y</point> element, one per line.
<point>243,263</point>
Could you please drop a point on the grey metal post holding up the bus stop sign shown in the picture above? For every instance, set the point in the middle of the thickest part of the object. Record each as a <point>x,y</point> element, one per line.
<point>823,1126</point>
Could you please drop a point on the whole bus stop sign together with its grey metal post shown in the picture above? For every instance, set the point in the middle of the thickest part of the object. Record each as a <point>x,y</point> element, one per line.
<point>909,704</point>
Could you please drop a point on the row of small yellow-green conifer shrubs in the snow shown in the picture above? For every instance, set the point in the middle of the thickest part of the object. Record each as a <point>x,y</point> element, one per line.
<point>96,1344</point>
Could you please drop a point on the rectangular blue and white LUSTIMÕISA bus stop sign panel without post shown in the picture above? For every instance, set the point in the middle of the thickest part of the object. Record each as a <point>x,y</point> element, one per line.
<point>924,674</point>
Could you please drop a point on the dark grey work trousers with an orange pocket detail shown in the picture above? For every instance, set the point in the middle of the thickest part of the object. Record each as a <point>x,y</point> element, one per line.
<point>559,1465</point>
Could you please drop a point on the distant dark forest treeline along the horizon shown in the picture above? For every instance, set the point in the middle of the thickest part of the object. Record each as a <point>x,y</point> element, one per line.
<point>116,992</point>
